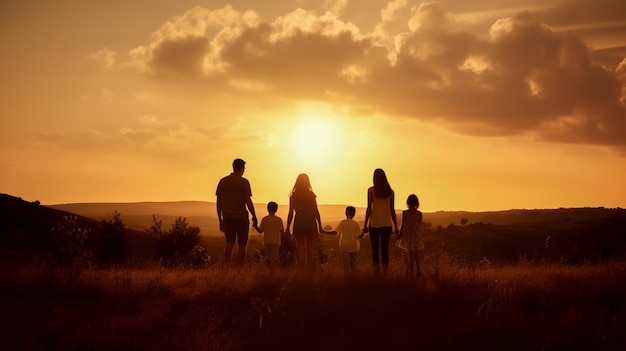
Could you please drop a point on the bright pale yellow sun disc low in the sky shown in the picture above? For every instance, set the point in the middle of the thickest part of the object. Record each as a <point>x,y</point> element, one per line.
<point>314,139</point>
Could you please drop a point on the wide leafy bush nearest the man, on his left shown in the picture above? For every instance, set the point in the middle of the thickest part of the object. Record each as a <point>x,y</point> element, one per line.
<point>177,246</point>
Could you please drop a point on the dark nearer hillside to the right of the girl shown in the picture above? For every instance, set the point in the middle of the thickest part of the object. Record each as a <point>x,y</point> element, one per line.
<point>558,240</point>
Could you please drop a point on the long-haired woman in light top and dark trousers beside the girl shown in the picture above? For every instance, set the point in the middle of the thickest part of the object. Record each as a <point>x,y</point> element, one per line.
<point>380,215</point>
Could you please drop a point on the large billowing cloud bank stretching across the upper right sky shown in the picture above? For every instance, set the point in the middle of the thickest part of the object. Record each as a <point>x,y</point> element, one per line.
<point>522,77</point>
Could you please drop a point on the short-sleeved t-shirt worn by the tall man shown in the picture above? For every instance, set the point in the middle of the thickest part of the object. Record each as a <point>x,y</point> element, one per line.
<point>233,191</point>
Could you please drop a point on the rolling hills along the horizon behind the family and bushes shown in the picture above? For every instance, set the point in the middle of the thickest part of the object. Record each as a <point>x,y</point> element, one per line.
<point>502,236</point>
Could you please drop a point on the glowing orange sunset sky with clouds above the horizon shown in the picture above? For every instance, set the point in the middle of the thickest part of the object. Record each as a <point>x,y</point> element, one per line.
<point>481,105</point>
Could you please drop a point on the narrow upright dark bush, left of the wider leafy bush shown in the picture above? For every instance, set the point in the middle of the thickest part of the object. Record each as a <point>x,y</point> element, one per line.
<point>110,244</point>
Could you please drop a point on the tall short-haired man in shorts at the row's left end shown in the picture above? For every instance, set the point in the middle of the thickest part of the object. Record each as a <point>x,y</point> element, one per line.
<point>233,197</point>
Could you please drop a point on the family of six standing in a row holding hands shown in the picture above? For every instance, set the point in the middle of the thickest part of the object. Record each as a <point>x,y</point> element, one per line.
<point>234,205</point>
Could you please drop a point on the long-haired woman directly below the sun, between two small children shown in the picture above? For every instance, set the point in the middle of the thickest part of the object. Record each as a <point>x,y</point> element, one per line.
<point>307,223</point>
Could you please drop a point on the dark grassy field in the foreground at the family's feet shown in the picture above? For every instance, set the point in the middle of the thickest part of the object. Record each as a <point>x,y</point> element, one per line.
<point>523,306</point>
